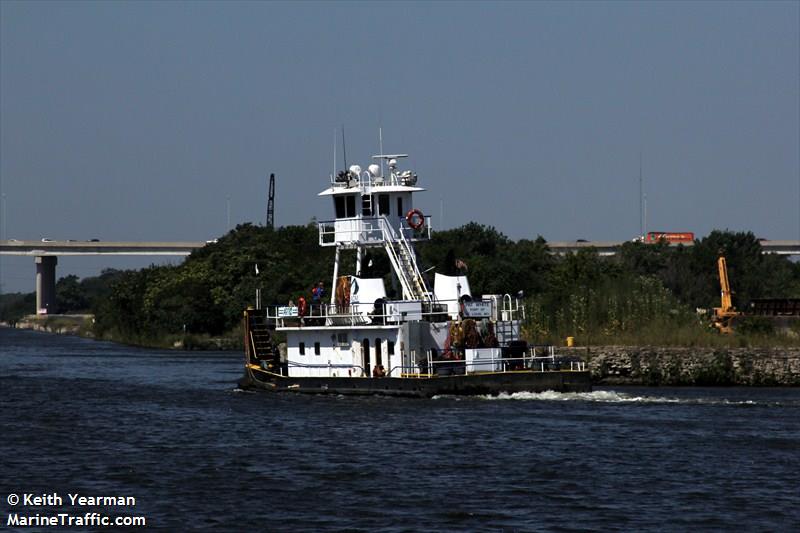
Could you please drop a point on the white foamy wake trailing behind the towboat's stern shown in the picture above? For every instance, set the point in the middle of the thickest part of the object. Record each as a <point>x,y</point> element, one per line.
<point>611,396</point>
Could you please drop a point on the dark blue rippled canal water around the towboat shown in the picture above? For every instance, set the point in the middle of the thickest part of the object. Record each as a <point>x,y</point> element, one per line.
<point>171,430</point>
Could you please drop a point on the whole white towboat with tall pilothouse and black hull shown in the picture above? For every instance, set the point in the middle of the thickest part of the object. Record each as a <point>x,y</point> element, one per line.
<point>425,337</point>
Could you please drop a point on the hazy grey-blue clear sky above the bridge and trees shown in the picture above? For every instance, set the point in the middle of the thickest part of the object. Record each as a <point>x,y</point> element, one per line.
<point>149,121</point>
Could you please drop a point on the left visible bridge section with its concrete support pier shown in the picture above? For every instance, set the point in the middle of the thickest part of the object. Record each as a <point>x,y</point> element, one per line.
<point>46,252</point>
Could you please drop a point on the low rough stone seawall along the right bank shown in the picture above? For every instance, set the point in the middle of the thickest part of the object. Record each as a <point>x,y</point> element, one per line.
<point>632,365</point>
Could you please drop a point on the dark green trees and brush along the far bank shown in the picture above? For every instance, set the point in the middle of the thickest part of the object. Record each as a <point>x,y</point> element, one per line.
<point>646,293</point>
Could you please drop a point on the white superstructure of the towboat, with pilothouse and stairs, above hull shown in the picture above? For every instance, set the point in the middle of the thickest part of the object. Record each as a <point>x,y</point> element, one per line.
<point>359,329</point>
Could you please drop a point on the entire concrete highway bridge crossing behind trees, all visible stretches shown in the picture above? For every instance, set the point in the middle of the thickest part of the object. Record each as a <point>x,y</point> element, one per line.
<point>45,254</point>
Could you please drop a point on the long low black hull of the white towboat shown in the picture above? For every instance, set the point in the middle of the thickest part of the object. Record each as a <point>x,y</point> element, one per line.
<point>476,384</point>
